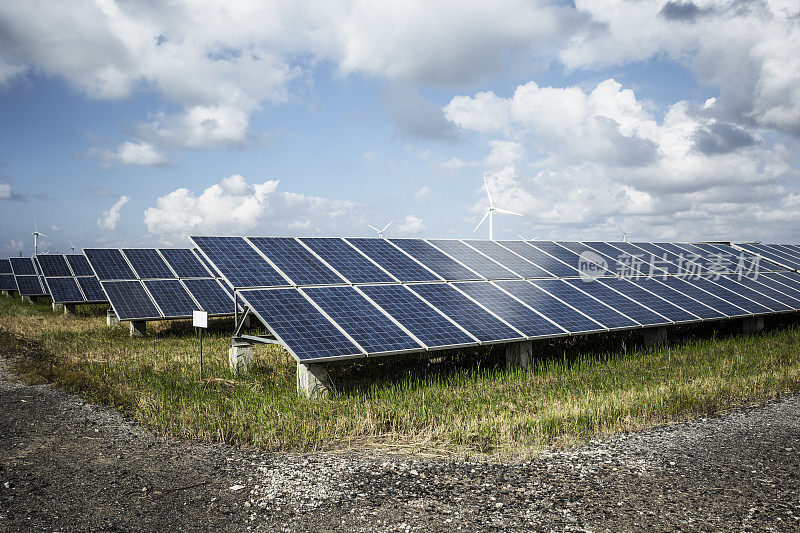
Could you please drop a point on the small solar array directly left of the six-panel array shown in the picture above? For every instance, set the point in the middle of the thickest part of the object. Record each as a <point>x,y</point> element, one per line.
<point>70,279</point>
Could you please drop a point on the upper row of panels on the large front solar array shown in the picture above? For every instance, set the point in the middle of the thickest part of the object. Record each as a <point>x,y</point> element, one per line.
<point>262,262</point>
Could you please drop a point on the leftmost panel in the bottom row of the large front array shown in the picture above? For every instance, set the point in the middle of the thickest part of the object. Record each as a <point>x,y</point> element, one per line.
<point>306,331</point>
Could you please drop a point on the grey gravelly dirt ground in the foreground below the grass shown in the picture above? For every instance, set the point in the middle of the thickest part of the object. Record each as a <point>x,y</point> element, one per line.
<point>68,466</point>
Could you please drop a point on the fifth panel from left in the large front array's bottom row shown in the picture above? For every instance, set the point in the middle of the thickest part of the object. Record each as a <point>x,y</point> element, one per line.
<point>509,309</point>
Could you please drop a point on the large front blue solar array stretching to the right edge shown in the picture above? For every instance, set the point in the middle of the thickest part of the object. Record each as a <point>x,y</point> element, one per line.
<point>334,298</point>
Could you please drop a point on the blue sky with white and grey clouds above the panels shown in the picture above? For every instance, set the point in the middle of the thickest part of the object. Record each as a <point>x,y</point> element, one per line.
<point>140,123</point>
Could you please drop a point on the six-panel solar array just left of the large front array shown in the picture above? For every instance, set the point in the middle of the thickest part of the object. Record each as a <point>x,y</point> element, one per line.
<point>155,284</point>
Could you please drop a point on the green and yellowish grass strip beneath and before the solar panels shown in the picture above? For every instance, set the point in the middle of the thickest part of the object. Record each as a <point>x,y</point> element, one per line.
<point>578,389</point>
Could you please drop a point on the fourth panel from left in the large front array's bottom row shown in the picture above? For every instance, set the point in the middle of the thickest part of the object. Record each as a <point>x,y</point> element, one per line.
<point>465,312</point>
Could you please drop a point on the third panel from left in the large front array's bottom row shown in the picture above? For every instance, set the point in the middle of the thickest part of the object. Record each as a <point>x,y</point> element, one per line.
<point>416,316</point>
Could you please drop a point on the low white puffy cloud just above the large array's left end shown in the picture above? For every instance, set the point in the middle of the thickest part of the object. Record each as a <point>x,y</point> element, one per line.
<point>233,206</point>
